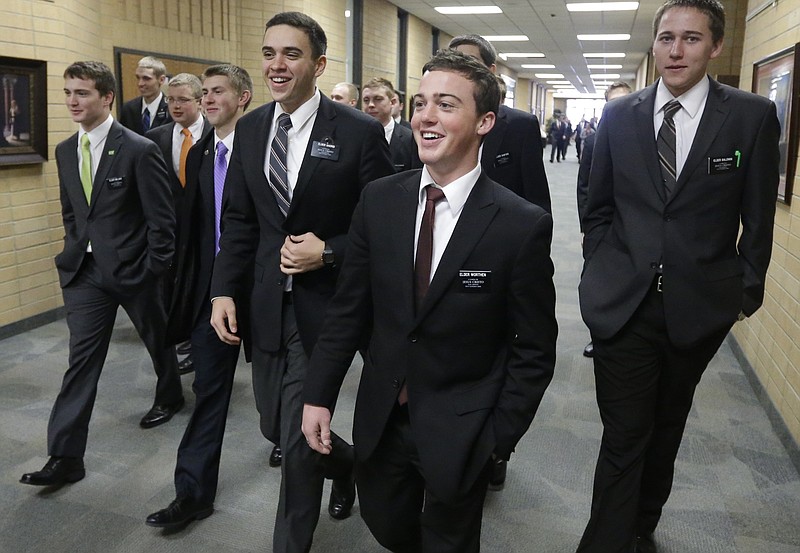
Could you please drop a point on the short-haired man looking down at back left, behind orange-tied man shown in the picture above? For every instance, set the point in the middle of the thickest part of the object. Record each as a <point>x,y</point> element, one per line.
<point>149,110</point>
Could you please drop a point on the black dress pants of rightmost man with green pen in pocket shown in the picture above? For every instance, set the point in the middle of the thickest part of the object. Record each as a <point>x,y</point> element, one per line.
<point>645,387</point>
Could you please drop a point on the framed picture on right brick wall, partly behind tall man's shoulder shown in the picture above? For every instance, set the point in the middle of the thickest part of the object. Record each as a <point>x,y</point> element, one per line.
<point>776,77</point>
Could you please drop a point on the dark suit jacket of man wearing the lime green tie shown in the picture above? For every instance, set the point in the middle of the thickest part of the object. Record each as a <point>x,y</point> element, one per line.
<point>130,221</point>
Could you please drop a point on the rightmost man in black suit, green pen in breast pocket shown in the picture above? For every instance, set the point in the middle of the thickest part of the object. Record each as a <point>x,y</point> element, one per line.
<point>676,170</point>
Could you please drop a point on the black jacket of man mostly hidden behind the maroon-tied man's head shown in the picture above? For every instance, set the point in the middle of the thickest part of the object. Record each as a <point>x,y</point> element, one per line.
<point>512,156</point>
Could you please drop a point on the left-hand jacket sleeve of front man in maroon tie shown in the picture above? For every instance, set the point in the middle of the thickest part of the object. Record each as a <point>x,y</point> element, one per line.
<point>346,320</point>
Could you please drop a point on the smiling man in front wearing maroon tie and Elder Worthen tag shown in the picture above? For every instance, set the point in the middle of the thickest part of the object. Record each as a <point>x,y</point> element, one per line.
<point>461,332</point>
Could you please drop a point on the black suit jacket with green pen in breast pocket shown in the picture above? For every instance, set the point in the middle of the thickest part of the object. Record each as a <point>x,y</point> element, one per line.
<point>710,273</point>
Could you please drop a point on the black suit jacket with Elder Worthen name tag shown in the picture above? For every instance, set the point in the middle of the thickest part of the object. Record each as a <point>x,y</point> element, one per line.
<point>480,351</point>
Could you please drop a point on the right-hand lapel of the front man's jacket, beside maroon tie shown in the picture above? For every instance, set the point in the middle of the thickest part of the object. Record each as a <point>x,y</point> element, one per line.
<point>478,212</point>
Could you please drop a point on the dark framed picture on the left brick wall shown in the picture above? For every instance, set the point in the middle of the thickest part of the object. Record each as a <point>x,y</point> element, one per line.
<point>23,111</point>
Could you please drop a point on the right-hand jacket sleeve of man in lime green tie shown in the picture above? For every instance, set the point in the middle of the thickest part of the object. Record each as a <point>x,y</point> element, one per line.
<point>158,208</point>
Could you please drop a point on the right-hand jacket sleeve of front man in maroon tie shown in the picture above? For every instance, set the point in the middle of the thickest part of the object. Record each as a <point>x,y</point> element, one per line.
<point>532,353</point>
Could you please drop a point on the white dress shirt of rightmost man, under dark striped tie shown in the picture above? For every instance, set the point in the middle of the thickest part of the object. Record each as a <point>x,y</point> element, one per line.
<point>687,119</point>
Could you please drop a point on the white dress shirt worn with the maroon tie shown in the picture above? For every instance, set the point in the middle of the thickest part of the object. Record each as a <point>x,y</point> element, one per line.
<point>448,210</point>
